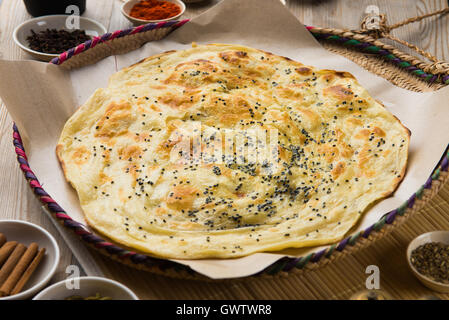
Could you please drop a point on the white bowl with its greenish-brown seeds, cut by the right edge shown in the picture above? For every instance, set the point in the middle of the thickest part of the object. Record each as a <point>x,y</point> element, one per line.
<point>428,259</point>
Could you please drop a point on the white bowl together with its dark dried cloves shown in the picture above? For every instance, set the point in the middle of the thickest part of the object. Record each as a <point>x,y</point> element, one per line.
<point>46,37</point>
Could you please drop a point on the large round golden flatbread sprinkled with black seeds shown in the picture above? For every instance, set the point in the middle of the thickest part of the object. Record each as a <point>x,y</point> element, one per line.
<point>220,151</point>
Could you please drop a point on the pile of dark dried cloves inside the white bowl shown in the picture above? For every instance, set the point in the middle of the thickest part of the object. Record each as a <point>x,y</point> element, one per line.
<point>56,41</point>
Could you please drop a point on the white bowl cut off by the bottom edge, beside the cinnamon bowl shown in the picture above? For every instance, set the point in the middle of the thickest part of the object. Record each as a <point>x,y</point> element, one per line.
<point>88,286</point>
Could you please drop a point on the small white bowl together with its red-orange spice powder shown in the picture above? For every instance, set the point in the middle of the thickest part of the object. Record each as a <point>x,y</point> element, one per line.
<point>145,11</point>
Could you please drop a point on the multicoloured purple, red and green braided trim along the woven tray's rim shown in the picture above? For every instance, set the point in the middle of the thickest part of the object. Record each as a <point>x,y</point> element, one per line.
<point>284,264</point>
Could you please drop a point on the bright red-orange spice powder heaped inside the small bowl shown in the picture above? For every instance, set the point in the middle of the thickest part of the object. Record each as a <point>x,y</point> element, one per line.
<point>154,10</point>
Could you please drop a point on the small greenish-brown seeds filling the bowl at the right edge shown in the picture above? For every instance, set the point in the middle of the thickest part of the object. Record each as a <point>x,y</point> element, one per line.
<point>432,260</point>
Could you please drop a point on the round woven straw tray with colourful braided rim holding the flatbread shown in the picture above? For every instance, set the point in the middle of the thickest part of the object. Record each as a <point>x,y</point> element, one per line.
<point>386,62</point>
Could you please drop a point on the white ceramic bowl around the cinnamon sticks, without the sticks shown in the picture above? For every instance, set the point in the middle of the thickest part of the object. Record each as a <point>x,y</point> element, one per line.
<point>26,233</point>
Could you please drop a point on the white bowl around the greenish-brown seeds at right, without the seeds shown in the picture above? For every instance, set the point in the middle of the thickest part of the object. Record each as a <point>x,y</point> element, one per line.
<point>434,236</point>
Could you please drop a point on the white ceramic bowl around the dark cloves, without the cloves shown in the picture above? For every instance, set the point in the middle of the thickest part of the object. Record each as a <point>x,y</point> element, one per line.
<point>22,31</point>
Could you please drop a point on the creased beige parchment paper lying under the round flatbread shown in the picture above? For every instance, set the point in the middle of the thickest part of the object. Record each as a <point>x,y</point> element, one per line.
<point>41,97</point>
